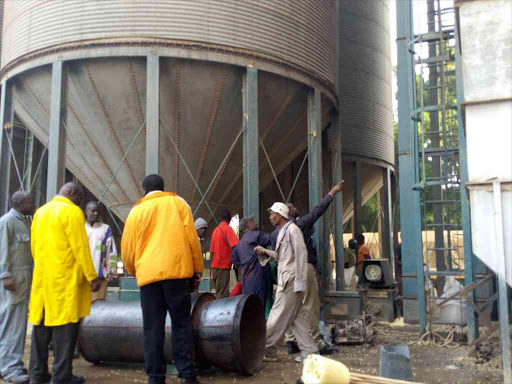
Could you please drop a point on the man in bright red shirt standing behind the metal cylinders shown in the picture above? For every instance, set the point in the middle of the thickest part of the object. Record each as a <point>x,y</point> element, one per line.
<point>222,242</point>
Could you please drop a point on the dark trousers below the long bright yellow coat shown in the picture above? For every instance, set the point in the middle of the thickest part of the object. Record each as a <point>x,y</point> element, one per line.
<point>64,338</point>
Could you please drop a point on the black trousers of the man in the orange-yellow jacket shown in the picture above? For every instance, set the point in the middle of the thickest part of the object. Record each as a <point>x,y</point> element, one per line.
<point>157,299</point>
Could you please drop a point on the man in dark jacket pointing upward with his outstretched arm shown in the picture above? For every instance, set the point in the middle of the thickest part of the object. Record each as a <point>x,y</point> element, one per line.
<point>311,299</point>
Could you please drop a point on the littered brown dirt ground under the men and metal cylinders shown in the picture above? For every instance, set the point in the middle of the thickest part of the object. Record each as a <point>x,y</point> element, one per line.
<point>431,364</point>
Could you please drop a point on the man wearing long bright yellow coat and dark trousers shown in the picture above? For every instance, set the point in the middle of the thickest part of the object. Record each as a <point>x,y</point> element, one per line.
<point>61,289</point>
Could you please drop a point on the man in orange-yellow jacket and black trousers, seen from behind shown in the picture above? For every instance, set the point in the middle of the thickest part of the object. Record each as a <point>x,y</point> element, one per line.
<point>161,248</point>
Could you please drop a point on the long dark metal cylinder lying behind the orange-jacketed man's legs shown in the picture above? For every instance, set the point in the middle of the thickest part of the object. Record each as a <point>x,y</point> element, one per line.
<point>114,332</point>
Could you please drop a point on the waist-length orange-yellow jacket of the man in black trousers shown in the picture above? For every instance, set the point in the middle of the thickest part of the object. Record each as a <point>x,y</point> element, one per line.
<point>160,241</point>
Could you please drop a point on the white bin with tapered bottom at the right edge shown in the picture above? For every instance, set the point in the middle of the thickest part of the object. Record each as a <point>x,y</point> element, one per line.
<point>486,35</point>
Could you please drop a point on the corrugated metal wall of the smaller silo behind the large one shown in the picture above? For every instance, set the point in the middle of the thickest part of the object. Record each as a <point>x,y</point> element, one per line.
<point>365,94</point>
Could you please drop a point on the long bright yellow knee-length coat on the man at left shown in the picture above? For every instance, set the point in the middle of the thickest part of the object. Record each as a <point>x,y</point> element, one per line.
<point>63,265</point>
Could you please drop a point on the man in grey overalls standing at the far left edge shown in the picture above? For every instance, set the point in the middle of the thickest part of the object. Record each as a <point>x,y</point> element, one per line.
<point>16,267</point>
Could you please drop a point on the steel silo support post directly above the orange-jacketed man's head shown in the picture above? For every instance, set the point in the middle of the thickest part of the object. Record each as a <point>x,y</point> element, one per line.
<point>152,114</point>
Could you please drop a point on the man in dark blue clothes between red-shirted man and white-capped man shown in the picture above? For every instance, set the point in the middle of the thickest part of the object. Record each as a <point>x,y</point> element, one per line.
<point>255,277</point>
